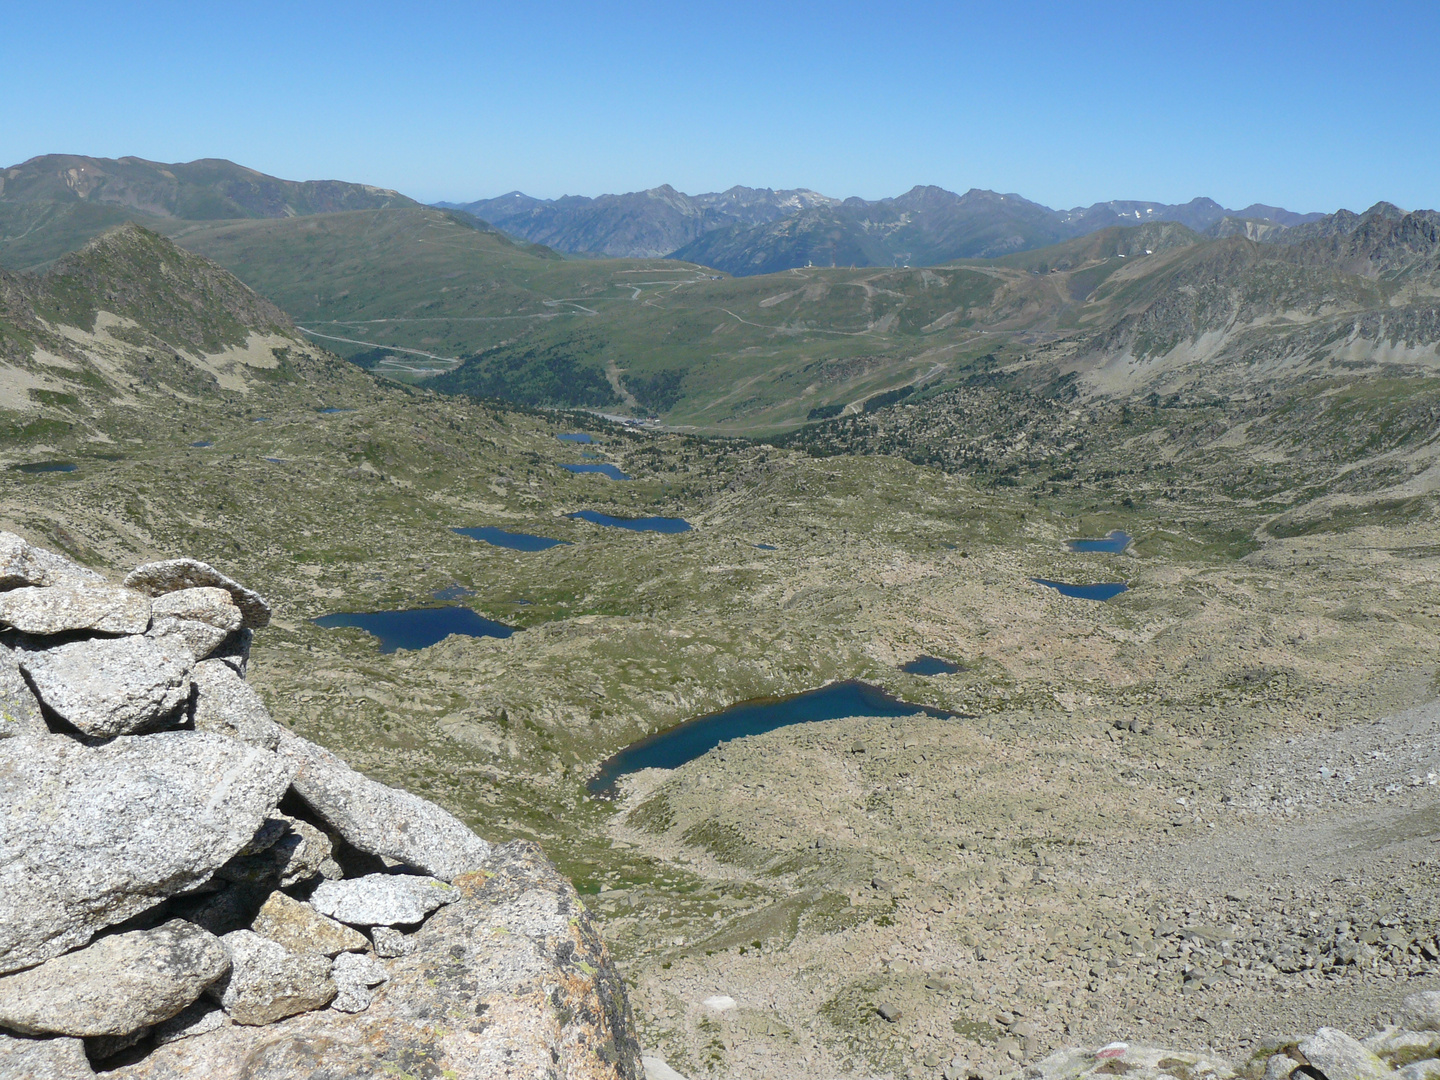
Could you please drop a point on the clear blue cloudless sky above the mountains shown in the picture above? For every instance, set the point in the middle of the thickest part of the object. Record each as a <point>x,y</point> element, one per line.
<point>1311,106</point>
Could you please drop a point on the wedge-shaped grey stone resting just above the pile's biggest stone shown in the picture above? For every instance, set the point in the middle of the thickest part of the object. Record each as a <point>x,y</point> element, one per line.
<point>110,686</point>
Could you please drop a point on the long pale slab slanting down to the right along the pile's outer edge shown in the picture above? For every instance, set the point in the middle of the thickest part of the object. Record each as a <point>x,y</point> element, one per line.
<point>381,820</point>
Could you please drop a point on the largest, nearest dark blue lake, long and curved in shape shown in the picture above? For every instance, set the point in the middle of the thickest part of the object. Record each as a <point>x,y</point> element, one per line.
<point>695,738</point>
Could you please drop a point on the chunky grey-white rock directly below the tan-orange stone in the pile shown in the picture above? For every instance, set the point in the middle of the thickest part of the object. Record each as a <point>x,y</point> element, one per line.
<point>269,983</point>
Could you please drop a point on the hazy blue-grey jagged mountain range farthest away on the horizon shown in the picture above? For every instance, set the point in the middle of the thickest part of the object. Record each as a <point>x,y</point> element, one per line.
<point>760,231</point>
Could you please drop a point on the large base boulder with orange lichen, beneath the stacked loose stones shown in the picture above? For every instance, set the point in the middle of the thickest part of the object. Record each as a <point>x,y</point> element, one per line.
<point>510,980</point>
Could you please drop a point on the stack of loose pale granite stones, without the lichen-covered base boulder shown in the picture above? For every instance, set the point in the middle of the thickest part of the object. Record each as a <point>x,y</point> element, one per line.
<point>150,888</point>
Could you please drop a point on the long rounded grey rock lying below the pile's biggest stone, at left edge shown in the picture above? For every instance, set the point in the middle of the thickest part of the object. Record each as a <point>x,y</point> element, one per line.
<point>117,986</point>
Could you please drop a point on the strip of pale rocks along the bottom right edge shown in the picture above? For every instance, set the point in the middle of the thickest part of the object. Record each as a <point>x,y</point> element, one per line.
<point>1405,1050</point>
